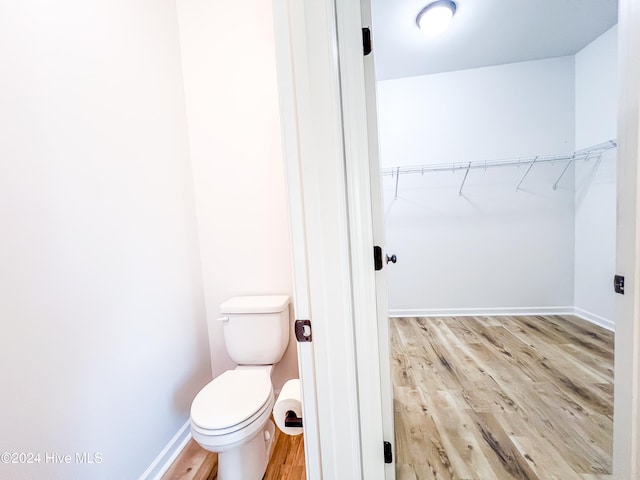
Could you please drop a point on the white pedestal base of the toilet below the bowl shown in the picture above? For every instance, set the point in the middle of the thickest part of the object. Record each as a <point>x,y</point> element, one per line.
<point>248,461</point>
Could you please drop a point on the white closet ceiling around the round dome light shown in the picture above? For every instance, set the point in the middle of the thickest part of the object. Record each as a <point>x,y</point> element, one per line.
<point>484,33</point>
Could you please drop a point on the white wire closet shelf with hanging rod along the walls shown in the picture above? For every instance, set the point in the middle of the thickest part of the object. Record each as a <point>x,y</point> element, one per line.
<point>583,154</point>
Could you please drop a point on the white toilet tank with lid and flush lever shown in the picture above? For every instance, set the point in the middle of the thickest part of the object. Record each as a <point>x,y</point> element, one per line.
<point>256,328</point>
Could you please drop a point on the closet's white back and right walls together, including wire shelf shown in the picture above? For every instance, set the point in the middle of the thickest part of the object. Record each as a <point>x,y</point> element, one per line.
<point>536,235</point>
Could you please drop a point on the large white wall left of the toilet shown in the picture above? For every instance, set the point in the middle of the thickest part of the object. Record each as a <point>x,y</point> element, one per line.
<point>103,340</point>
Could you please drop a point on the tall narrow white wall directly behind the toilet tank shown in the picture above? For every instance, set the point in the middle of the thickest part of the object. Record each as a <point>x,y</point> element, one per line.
<point>228,57</point>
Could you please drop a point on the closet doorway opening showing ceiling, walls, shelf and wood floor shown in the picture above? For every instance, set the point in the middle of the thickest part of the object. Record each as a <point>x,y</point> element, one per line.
<point>499,198</point>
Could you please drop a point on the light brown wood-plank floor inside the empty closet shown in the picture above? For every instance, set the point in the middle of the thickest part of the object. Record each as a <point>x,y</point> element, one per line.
<point>502,398</point>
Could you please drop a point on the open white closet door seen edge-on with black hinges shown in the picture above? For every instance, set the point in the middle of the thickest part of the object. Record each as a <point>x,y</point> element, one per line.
<point>366,230</point>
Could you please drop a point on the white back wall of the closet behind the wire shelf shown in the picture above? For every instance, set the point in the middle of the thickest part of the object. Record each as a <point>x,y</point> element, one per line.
<point>492,248</point>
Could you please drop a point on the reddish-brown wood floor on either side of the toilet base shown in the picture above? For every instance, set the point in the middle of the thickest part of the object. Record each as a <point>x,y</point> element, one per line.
<point>286,462</point>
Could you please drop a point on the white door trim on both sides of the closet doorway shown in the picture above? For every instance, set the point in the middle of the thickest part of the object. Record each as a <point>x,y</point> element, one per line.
<point>321,90</point>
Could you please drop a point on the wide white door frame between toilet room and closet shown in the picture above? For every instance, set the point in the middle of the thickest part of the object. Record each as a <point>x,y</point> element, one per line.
<point>323,109</point>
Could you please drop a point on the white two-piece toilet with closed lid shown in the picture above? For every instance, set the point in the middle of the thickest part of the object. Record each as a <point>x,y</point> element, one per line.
<point>230,415</point>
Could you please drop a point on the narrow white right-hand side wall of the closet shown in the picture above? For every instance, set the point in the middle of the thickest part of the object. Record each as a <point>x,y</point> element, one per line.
<point>596,87</point>
